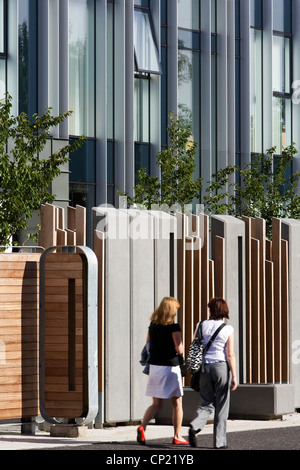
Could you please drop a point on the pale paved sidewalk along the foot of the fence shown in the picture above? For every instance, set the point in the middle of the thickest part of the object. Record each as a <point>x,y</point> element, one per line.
<point>12,439</point>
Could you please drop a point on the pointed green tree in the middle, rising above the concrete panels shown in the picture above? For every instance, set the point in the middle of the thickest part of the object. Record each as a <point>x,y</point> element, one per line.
<point>177,185</point>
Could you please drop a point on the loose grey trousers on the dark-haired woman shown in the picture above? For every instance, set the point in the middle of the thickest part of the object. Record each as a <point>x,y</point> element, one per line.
<point>215,394</point>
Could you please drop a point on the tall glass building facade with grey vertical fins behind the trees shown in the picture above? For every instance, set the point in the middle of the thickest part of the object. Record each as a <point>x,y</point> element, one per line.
<point>161,39</point>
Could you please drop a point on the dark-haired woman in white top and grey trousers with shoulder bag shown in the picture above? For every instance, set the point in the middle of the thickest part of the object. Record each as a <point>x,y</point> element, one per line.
<point>215,380</point>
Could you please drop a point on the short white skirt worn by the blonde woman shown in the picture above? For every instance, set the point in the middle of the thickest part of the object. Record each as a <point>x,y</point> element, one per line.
<point>164,382</point>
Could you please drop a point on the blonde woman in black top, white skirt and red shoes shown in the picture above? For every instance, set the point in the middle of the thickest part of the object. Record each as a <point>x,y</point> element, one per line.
<point>165,379</point>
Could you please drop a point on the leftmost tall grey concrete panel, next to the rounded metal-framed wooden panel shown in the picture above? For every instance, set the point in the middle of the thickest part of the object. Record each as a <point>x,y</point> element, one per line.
<point>114,224</point>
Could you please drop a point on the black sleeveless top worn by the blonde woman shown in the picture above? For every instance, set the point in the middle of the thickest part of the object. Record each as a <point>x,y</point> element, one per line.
<point>162,347</point>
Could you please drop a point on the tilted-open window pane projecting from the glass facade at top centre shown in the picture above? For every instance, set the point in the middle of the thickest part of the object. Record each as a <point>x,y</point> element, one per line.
<point>146,54</point>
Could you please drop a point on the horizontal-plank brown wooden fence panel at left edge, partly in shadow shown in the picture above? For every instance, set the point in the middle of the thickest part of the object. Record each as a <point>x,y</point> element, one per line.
<point>19,335</point>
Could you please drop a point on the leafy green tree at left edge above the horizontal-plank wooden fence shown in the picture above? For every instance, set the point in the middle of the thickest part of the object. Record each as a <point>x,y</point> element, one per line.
<point>25,178</point>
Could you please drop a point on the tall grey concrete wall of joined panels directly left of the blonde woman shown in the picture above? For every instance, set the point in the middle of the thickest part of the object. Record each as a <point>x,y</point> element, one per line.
<point>137,276</point>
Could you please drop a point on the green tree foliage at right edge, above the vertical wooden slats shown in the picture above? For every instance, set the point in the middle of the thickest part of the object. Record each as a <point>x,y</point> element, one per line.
<point>267,188</point>
